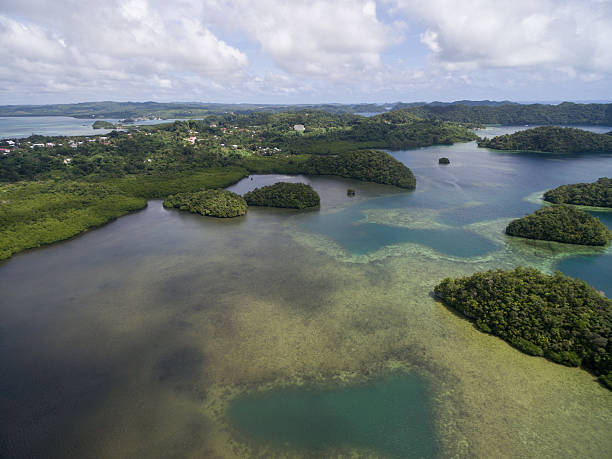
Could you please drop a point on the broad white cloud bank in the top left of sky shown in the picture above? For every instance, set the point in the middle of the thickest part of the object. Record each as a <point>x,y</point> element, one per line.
<point>134,43</point>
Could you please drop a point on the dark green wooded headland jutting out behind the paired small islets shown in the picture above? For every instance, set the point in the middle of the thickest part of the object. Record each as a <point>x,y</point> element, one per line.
<point>368,165</point>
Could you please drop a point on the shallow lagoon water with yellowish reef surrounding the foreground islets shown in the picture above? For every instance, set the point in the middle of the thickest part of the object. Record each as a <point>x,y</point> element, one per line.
<point>141,338</point>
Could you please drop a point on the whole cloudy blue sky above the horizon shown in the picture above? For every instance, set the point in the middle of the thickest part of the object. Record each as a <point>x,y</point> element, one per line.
<point>315,51</point>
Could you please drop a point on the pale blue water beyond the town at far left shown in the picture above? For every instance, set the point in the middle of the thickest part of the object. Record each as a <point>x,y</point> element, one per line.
<point>25,126</point>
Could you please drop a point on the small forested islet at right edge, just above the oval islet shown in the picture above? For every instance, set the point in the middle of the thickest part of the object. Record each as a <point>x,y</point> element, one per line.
<point>597,194</point>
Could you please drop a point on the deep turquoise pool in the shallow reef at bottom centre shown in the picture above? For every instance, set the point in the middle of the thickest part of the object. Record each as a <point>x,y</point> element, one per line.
<point>390,416</point>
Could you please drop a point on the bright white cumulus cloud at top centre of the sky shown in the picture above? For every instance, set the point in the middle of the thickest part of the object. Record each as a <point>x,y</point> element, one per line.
<point>314,38</point>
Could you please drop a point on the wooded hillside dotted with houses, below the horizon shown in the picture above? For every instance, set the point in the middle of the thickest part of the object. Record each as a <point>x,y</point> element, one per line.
<point>222,140</point>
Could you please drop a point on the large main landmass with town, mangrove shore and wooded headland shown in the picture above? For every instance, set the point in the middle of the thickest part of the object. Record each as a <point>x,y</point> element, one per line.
<point>154,162</point>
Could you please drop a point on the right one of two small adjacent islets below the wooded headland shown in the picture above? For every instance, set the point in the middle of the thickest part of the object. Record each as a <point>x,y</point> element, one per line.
<point>289,195</point>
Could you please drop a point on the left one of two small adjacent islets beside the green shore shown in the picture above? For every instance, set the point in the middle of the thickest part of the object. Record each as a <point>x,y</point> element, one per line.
<point>212,203</point>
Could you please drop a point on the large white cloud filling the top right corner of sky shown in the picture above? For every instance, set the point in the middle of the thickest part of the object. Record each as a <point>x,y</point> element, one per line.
<point>572,36</point>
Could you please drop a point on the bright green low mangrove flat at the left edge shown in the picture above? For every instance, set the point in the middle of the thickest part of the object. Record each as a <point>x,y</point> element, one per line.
<point>33,214</point>
